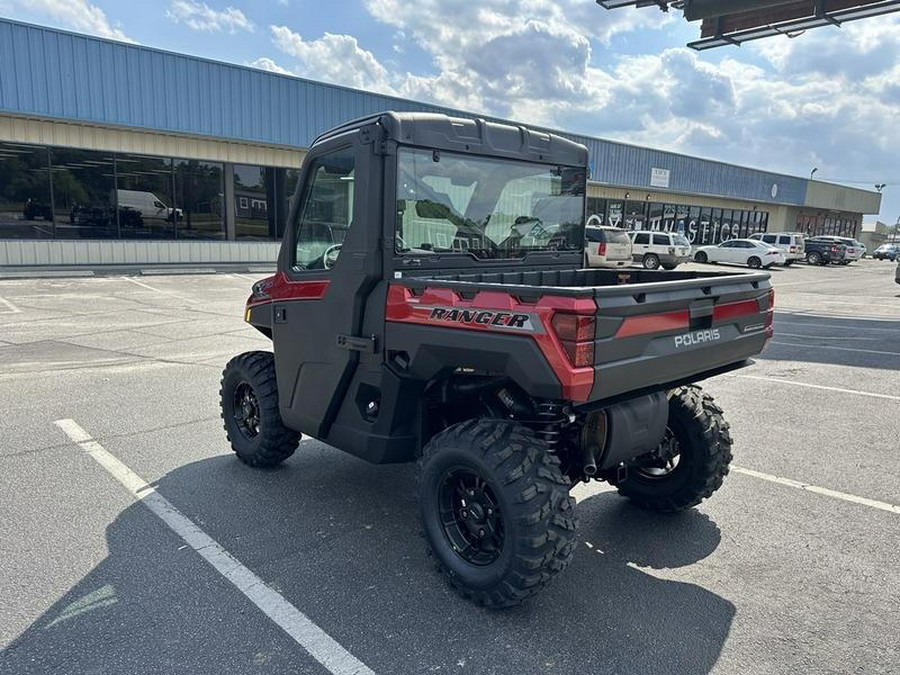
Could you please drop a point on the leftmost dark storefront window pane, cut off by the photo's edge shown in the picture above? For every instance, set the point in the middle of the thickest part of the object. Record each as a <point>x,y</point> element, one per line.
<point>25,200</point>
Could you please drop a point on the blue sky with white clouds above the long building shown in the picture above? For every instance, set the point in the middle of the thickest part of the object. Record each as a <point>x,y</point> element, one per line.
<point>829,99</point>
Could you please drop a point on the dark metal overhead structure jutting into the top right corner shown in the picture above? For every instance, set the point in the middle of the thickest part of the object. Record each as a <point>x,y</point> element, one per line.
<point>732,22</point>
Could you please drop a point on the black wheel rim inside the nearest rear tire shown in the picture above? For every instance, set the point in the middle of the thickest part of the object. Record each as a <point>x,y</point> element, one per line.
<point>470,516</point>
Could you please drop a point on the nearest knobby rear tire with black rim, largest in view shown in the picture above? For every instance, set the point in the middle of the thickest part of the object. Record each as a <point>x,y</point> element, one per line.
<point>496,511</point>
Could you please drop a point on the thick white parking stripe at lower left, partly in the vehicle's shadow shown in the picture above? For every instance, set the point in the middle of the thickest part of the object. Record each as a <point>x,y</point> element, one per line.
<point>321,646</point>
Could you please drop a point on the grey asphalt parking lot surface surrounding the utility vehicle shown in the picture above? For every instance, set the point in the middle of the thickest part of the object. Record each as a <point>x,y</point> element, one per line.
<point>792,567</point>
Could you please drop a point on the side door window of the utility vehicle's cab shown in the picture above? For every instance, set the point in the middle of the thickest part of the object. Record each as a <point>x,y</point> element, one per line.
<point>325,212</point>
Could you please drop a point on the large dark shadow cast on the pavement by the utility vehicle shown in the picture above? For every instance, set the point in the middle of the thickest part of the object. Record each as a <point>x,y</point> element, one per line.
<point>340,539</point>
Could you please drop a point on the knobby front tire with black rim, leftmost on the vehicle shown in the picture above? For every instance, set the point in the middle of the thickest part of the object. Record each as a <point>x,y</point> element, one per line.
<point>249,401</point>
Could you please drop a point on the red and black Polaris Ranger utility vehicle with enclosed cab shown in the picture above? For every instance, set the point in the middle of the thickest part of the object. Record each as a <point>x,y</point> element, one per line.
<point>429,306</point>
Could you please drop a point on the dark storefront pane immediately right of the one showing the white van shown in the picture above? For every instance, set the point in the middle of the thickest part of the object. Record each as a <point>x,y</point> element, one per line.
<point>198,200</point>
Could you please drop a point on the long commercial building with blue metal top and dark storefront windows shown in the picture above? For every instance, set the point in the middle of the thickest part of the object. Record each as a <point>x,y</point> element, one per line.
<point>114,153</point>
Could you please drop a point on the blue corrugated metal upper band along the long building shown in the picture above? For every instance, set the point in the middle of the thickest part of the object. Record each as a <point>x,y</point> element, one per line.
<point>58,74</point>
